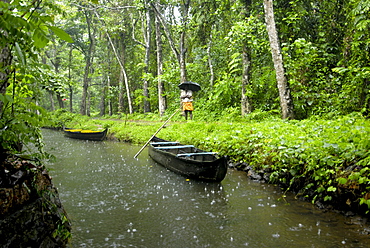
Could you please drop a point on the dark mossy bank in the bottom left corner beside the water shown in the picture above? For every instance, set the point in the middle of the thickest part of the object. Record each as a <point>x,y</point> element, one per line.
<point>31,214</point>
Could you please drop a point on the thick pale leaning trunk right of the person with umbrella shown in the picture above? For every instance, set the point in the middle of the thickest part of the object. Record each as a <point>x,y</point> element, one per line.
<point>286,101</point>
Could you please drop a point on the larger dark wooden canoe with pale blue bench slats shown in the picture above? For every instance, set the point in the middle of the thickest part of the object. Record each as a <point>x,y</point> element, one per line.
<point>188,160</point>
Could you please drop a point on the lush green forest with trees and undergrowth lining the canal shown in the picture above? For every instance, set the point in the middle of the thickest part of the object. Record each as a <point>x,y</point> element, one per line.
<point>284,85</point>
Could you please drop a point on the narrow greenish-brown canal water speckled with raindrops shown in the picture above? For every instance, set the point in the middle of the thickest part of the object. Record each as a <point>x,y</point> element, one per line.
<point>114,200</point>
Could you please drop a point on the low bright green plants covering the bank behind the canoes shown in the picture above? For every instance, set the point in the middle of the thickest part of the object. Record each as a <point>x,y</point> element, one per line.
<point>324,161</point>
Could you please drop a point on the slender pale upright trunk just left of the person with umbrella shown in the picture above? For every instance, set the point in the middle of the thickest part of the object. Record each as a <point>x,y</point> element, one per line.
<point>161,96</point>
